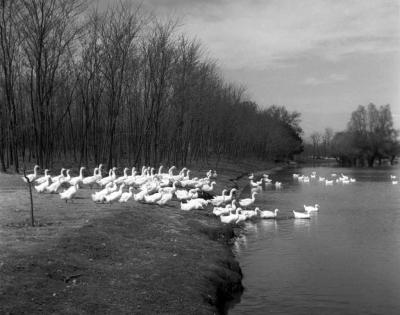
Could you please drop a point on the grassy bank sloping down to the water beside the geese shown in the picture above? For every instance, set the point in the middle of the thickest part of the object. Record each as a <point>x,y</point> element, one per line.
<point>85,258</point>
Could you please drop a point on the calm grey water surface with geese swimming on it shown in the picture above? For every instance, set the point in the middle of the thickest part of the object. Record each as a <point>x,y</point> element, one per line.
<point>345,260</point>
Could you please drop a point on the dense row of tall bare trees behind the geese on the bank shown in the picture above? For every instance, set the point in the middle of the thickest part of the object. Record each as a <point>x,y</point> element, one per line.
<point>120,85</point>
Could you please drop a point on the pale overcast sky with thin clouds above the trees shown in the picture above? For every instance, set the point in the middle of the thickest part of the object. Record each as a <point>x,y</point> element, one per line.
<point>322,58</point>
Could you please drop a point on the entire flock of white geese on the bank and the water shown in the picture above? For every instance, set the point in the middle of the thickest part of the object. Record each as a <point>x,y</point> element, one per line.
<point>160,188</point>
